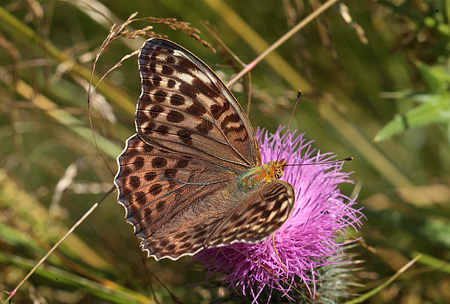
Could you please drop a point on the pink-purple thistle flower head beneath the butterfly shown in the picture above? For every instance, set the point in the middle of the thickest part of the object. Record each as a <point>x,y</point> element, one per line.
<point>307,240</point>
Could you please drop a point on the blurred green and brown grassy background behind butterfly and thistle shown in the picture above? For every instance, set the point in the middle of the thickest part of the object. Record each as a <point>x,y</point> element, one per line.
<point>382,97</point>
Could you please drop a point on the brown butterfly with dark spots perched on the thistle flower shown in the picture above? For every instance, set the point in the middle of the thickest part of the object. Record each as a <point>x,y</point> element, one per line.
<point>191,177</point>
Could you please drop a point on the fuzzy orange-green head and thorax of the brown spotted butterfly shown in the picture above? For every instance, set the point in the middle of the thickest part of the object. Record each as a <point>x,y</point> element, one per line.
<point>267,173</point>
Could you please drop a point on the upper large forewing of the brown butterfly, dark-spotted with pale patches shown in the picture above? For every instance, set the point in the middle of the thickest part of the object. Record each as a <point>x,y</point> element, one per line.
<point>185,107</point>
